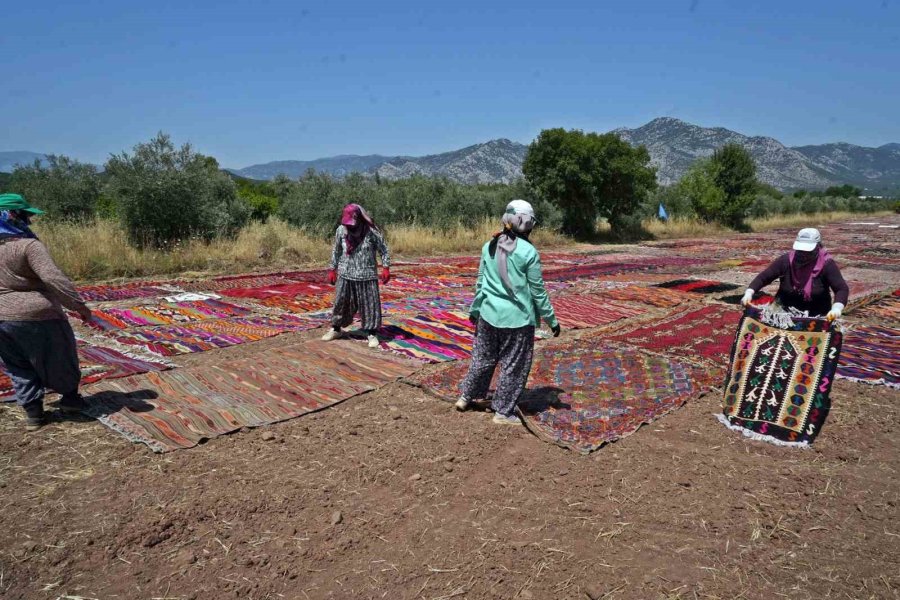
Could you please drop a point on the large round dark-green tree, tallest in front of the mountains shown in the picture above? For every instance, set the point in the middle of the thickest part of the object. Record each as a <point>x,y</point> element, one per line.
<point>589,175</point>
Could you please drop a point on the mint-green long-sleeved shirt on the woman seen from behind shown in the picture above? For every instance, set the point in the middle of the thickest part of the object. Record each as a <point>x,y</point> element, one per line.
<point>497,306</point>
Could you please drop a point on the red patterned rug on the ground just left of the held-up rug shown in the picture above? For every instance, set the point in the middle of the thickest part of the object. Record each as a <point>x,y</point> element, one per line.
<point>703,333</point>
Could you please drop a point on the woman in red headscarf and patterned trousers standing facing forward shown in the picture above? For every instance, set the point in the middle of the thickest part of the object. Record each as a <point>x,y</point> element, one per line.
<point>354,273</point>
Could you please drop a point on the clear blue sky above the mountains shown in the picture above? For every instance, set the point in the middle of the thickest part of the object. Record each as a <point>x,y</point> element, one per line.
<point>253,82</point>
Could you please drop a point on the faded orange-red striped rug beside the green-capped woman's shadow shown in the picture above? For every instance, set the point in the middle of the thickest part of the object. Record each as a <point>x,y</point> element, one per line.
<point>180,408</point>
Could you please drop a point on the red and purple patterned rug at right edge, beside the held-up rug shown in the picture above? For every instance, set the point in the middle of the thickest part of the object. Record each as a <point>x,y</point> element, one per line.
<point>871,354</point>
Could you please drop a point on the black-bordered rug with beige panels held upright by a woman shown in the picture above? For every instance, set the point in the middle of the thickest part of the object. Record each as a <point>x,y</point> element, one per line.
<point>778,384</point>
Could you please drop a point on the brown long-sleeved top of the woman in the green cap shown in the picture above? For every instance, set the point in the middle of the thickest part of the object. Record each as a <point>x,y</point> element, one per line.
<point>32,287</point>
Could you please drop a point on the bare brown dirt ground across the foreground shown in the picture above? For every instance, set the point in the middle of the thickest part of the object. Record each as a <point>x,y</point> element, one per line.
<point>395,495</point>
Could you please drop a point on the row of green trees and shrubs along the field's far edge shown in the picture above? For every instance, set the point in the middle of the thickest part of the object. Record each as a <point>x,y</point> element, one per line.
<point>163,194</point>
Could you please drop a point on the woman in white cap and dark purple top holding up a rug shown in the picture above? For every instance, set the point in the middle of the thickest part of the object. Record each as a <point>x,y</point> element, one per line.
<point>807,275</point>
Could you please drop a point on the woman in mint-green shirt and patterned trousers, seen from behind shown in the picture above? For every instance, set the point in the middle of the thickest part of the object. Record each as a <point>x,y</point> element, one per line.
<point>510,300</point>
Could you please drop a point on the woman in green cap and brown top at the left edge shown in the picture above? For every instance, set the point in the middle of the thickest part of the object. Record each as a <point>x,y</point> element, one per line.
<point>37,344</point>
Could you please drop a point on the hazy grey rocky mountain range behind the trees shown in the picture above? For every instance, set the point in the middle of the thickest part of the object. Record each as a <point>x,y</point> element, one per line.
<point>673,145</point>
